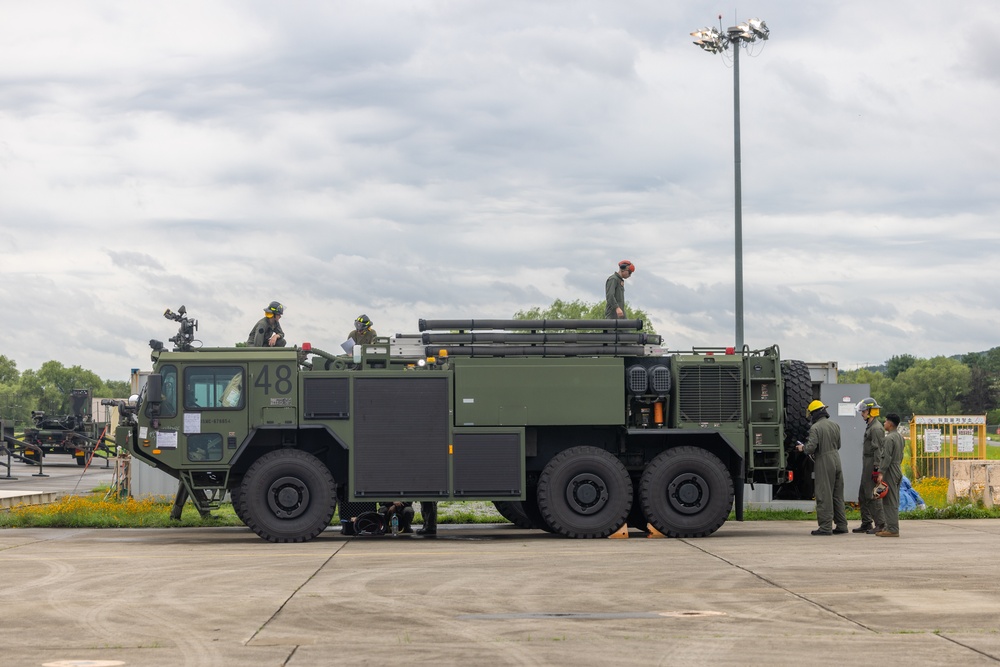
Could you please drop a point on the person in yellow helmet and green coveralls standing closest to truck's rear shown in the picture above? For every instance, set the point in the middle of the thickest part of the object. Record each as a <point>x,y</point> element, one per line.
<point>823,444</point>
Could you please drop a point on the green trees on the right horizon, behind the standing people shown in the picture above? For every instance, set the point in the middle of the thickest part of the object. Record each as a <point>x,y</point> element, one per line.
<point>969,384</point>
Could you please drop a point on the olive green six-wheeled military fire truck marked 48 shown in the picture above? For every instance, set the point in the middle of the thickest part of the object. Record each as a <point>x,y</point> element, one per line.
<point>586,423</point>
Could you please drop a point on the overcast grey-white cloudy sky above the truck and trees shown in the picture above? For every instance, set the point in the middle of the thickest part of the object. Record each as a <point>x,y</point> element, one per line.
<point>470,159</point>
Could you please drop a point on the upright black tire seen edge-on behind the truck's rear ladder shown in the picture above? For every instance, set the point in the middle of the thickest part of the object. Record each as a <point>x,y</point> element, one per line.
<point>798,394</point>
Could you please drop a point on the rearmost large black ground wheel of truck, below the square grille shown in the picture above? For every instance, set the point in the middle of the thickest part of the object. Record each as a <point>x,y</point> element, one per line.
<point>686,492</point>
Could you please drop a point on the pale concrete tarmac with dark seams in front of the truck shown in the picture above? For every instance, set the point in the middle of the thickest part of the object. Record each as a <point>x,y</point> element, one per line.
<point>755,593</point>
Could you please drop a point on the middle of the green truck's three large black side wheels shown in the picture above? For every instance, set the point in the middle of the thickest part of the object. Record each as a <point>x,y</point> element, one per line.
<point>585,492</point>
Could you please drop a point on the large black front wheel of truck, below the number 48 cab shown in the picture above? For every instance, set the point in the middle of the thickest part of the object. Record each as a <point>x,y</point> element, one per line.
<point>288,496</point>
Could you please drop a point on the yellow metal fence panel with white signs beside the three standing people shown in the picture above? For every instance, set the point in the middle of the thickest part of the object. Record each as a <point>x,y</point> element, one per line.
<point>937,440</point>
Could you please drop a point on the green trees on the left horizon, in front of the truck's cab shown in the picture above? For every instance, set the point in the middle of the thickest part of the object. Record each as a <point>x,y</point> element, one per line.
<point>47,389</point>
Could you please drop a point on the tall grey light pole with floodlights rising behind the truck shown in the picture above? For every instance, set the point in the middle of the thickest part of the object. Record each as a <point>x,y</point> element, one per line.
<point>715,41</point>
